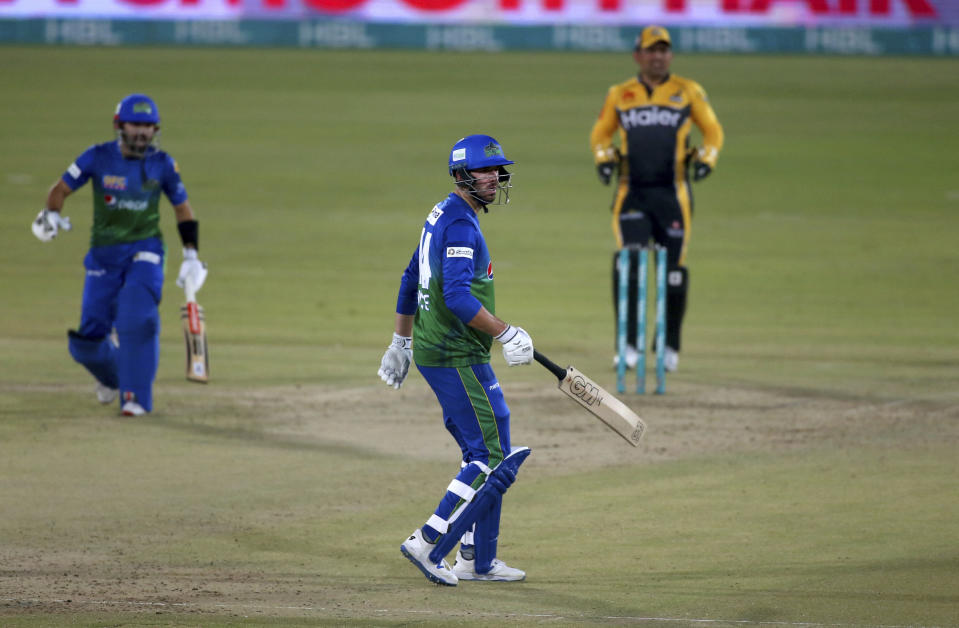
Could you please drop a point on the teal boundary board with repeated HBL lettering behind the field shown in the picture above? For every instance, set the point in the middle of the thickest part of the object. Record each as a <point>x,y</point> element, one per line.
<point>347,34</point>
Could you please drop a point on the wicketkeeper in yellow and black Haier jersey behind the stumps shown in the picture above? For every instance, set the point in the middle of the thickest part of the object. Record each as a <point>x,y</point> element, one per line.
<point>654,113</point>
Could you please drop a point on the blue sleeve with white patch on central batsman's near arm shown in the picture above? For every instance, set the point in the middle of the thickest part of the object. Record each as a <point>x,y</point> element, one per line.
<point>459,249</point>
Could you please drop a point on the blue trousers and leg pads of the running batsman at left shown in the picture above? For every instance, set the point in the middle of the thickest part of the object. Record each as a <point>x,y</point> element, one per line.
<point>122,291</point>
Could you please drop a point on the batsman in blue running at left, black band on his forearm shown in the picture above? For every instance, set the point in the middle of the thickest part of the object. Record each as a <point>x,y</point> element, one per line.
<point>125,263</point>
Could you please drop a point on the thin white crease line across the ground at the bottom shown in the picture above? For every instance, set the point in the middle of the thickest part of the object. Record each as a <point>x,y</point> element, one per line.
<point>746,622</point>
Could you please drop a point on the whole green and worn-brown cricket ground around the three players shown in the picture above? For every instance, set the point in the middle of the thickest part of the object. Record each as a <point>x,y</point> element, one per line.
<point>801,469</point>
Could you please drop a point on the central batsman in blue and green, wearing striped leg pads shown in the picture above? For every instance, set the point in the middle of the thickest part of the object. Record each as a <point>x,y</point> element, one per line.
<point>445,323</point>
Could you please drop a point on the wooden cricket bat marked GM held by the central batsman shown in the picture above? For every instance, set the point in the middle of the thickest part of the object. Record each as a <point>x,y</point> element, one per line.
<point>594,398</point>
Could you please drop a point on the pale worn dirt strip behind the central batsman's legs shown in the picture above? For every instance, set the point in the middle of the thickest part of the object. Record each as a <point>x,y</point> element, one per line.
<point>692,420</point>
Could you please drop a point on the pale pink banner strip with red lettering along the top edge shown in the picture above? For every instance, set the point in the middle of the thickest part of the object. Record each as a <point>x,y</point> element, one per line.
<point>752,13</point>
